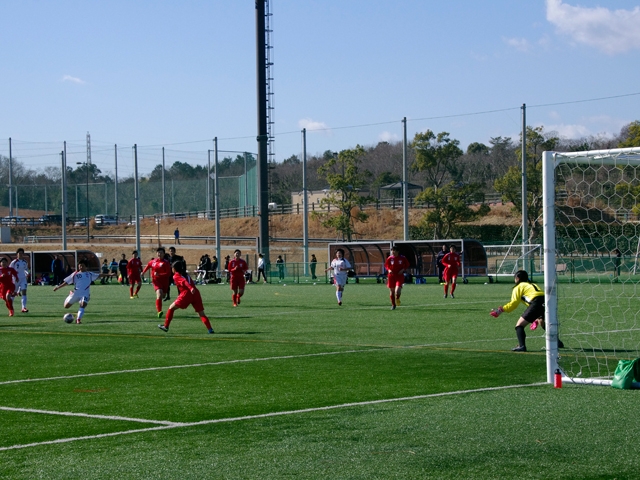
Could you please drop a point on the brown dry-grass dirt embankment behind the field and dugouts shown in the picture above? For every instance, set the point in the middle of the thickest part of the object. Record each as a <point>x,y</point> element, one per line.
<point>382,225</point>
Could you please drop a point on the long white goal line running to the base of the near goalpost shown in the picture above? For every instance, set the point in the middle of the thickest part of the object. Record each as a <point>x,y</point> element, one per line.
<point>267,415</point>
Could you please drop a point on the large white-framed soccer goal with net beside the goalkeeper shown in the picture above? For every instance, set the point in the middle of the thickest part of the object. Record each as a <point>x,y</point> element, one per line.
<point>591,202</point>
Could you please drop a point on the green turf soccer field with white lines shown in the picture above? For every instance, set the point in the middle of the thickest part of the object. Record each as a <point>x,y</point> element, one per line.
<point>291,384</point>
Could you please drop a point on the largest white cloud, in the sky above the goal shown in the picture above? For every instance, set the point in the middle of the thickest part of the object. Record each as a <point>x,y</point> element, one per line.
<point>611,31</point>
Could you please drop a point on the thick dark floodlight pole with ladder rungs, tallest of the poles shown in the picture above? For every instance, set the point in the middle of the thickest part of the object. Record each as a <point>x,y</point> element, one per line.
<point>263,137</point>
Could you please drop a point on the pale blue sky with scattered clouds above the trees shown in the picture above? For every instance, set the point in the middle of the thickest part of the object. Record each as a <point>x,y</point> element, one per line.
<point>177,74</point>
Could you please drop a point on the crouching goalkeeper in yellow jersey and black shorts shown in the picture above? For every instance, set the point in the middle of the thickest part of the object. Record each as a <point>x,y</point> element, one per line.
<point>532,296</point>
